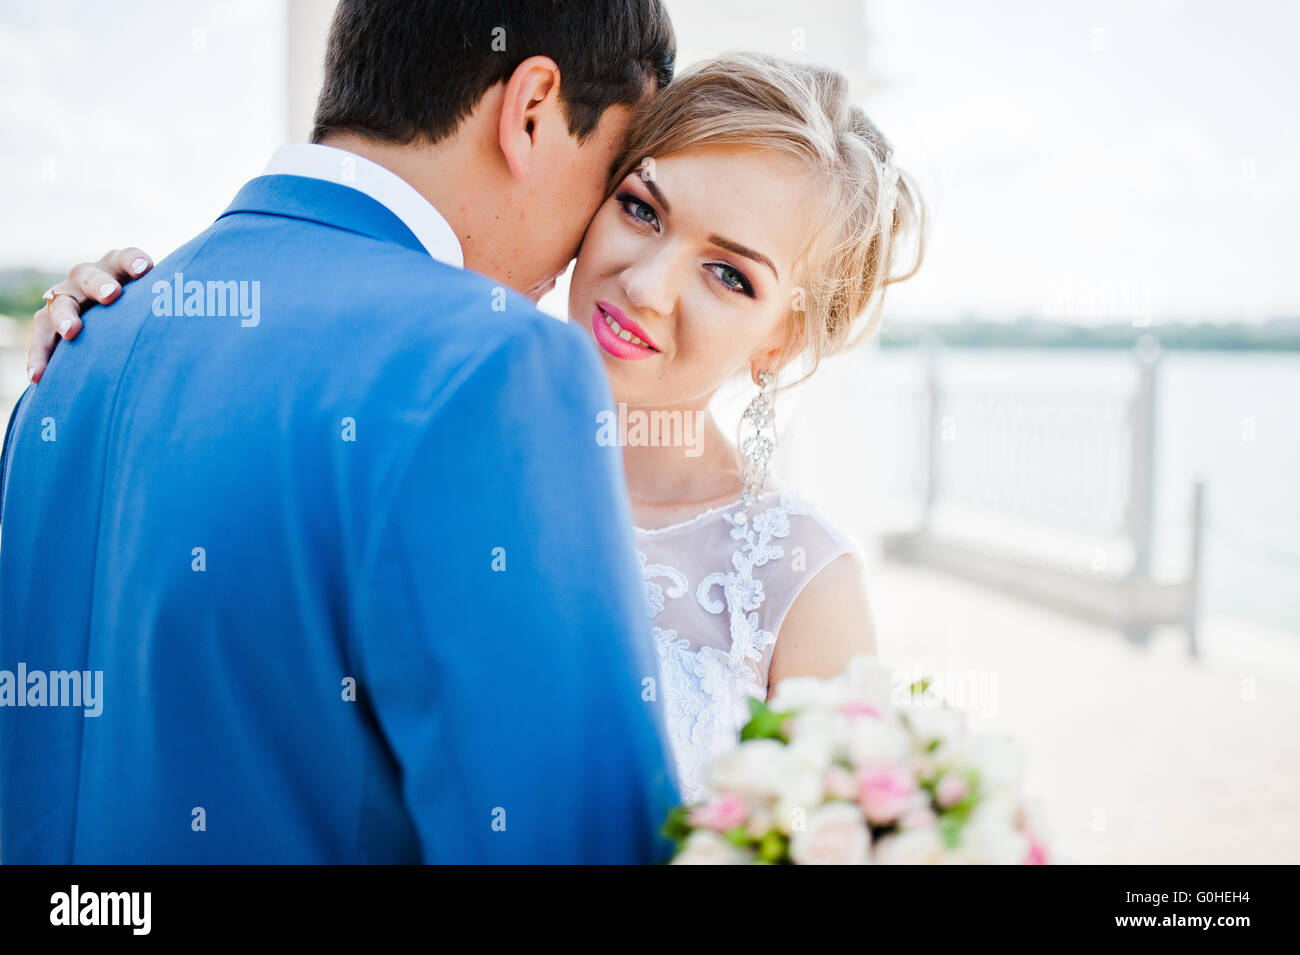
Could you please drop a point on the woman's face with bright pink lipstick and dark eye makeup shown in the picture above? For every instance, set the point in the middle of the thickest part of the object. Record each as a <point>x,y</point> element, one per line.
<point>695,258</point>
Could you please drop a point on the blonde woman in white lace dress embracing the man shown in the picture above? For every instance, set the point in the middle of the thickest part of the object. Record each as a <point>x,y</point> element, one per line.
<point>755,222</point>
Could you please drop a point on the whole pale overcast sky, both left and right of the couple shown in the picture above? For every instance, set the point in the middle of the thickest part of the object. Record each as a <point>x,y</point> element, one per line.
<point>1103,160</point>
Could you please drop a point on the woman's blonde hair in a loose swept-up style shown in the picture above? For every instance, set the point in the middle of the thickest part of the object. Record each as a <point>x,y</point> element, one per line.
<point>866,209</point>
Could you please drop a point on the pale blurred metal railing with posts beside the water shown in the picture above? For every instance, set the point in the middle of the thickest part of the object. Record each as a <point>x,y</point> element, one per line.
<point>1080,465</point>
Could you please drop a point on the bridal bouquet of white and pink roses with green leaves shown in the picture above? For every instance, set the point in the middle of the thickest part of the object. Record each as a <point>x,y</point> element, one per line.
<point>860,770</point>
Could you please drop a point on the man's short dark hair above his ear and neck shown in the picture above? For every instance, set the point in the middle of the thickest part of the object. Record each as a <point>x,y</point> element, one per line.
<point>401,71</point>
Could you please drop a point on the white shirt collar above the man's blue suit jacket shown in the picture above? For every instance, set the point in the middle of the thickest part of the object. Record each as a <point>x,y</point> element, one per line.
<point>384,186</point>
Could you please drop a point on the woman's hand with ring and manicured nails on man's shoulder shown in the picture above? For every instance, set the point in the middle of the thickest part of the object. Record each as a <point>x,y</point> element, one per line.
<point>88,284</point>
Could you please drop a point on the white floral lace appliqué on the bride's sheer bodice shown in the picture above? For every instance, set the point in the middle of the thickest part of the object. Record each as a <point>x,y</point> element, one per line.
<point>707,689</point>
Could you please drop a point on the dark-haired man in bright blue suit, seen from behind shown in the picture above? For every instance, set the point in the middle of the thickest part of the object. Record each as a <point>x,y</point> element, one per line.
<point>343,572</point>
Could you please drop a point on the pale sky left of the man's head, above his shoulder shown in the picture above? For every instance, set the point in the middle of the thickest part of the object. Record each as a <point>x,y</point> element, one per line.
<point>133,121</point>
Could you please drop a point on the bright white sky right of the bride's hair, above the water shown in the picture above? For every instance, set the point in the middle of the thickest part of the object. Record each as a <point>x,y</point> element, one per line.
<point>1149,147</point>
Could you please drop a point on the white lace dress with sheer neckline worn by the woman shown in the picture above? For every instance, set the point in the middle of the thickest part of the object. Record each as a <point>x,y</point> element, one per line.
<point>718,588</point>
